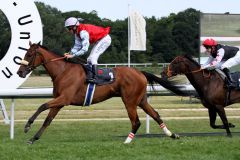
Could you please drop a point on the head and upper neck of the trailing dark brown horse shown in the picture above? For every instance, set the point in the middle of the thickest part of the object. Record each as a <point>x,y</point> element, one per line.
<point>182,65</point>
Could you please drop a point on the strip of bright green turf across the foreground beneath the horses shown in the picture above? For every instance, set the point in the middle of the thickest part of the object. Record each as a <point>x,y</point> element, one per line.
<point>104,140</point>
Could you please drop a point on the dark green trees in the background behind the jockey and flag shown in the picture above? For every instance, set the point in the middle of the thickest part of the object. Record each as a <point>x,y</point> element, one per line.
<point>166,37</point>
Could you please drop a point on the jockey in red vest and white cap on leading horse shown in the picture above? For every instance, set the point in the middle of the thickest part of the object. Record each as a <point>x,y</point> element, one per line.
<point>86,34</point>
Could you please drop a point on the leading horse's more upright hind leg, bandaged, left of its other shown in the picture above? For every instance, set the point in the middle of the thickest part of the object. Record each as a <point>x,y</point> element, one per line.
<point>133,116</point>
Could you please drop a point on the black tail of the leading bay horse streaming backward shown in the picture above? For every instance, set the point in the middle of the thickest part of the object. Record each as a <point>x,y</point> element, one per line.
<point>152,79</point>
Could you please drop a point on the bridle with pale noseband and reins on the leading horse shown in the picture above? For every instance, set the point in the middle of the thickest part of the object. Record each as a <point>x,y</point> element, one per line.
<point>30,65</point>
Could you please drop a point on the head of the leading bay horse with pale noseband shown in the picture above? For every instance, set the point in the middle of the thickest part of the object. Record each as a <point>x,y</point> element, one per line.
<point>31,60</point>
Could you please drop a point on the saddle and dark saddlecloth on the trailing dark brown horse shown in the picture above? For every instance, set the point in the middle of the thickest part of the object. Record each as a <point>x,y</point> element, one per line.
<point>235,77</point>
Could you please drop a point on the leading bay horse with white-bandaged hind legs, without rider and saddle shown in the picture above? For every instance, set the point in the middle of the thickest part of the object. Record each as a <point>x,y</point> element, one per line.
<point>69,88</point>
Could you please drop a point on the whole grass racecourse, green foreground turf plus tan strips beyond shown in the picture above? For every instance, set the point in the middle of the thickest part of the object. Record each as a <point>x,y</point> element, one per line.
<point>103,140</point>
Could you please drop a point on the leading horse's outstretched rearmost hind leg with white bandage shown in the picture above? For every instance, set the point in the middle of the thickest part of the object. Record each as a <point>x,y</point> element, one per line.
<point>154,114</point>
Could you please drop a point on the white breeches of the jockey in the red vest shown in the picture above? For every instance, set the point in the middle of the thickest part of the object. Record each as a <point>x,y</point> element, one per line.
<point>98,49</point>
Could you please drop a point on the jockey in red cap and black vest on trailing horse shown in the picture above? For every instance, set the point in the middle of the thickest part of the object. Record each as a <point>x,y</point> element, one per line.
<point>222,57</point>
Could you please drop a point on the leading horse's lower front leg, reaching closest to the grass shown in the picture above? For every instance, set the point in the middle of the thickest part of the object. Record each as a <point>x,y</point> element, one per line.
<point>51,115</point>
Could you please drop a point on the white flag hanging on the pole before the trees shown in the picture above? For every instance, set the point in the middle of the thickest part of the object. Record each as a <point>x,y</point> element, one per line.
<point>137,31</point>
